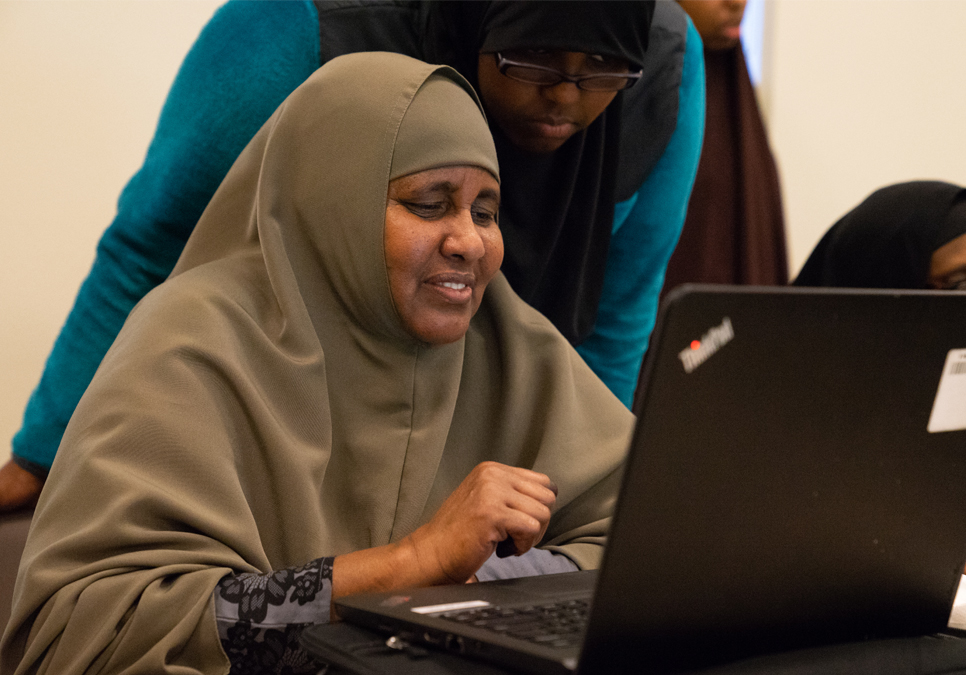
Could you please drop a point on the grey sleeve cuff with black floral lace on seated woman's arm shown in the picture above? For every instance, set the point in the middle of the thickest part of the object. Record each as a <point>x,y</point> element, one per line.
<point>260,617</point>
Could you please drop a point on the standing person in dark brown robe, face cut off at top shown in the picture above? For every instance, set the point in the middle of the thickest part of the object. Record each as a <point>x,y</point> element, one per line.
<point>734,232</point>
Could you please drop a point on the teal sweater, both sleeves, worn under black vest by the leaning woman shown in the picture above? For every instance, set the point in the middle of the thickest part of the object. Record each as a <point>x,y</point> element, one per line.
<point>246,61</point>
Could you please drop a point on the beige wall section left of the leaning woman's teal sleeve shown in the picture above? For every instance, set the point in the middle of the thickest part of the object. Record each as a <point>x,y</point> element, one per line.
<point>81,86</point>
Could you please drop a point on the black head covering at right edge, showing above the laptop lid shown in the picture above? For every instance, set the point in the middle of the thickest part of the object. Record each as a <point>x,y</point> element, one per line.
<point>888,240</point>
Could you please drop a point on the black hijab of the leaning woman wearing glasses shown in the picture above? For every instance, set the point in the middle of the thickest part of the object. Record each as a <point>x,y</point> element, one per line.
<point>557,209</point>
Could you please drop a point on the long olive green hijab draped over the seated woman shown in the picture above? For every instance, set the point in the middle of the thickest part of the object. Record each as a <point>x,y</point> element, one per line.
<point>265,407</point>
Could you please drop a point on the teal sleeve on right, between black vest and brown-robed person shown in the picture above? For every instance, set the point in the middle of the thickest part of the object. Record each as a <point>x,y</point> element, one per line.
<point>646,230</point>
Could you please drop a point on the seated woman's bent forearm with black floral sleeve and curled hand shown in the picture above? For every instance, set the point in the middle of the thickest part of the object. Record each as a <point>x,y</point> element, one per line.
<point>253,610</point>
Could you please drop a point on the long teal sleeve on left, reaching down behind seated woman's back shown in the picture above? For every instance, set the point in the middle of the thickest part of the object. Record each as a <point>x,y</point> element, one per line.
<point>246,61</point>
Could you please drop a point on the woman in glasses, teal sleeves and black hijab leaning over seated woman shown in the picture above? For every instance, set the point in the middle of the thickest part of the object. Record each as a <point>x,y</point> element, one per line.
<point>597,111</point>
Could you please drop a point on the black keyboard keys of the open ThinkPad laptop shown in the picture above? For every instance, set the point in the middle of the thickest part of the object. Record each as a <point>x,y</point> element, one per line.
<point>556,624</point>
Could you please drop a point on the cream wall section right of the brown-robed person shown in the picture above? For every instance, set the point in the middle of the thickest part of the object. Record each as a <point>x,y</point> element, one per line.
<point>860,94</point>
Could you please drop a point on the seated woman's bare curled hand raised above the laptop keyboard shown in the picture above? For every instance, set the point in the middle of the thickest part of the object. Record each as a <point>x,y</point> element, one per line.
<point>495,503</point>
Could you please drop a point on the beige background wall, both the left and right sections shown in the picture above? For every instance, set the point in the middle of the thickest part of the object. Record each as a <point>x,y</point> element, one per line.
<point>859,93</point>
